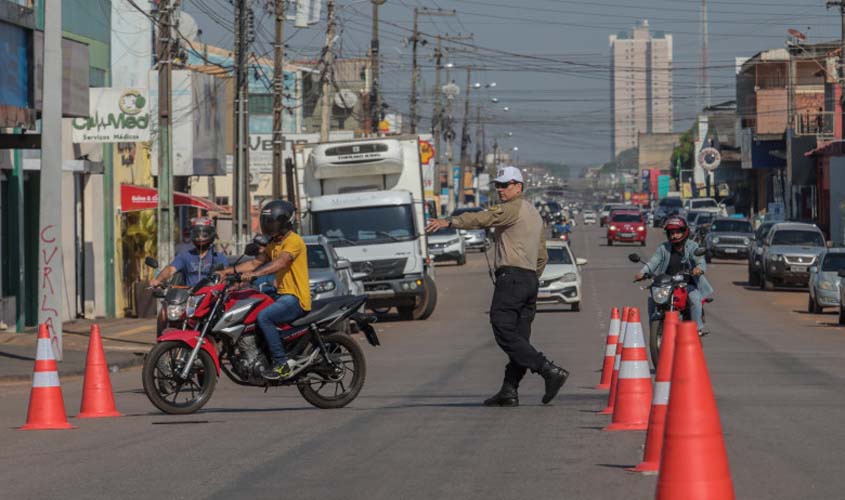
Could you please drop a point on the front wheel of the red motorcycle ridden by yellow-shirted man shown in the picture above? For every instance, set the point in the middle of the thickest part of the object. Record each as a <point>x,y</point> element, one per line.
<point>165,387</point>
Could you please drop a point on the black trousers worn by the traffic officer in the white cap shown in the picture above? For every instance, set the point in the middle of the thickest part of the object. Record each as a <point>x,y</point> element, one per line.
<point>511,313</point>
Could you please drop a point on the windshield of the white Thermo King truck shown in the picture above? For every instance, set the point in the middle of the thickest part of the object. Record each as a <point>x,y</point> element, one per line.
<point>355,226</point>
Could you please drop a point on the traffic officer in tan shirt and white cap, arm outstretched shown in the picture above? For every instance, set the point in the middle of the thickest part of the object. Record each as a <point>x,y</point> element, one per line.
<point>519,260</point>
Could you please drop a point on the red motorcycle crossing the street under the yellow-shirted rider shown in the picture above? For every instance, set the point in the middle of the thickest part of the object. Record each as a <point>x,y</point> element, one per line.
<point>221,334</point>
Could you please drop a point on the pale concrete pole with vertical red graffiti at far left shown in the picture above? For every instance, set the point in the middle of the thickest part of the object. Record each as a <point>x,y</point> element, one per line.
<point>51,285</point>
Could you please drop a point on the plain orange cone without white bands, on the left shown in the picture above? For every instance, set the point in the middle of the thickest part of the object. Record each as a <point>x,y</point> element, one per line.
<point>97,397</point>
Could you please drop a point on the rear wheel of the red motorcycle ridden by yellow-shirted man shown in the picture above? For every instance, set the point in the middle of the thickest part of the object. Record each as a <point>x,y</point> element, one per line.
<point>340,389</point>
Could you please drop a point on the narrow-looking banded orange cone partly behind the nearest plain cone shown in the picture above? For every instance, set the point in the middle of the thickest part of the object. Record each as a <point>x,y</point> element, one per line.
<point>662,384</point>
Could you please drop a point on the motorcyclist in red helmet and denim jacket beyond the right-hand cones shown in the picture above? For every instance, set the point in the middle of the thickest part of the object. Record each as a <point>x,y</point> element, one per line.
<point>675,256</point>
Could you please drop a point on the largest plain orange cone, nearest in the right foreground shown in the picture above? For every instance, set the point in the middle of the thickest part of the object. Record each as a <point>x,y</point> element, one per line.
<point>694,463</point>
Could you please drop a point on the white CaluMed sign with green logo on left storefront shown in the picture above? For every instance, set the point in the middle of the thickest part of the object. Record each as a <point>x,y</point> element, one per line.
<point>114,115</point>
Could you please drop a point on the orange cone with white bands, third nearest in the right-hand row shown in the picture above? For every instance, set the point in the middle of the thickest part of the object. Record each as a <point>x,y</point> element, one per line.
<point>633,390</point>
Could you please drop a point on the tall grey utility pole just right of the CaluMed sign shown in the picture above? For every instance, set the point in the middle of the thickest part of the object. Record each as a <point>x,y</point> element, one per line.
<point>165,50</point>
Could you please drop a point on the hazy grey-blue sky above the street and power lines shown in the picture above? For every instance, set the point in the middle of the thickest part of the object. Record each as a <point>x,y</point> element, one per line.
<point>548,58</point>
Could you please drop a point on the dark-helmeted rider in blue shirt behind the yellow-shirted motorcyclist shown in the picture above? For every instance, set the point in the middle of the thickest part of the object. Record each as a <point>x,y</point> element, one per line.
<point>197,262</point>
